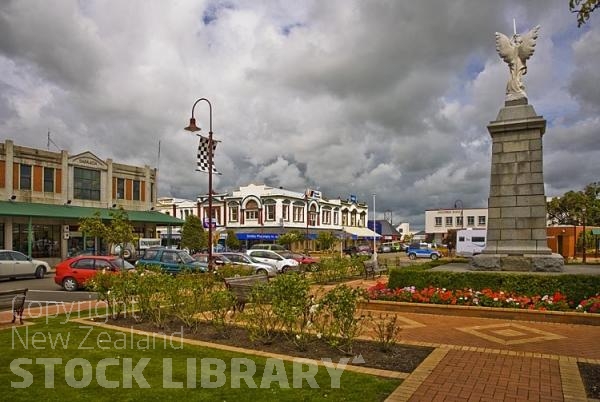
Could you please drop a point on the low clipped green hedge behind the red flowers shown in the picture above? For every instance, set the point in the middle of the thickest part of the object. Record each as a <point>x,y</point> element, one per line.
<point>574,287</point>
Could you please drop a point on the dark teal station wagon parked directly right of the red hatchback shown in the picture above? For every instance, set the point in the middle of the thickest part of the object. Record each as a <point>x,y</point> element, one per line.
<point>171,261</point>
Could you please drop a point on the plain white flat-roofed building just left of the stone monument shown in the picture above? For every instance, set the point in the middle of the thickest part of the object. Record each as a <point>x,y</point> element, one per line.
<point>439,221</point>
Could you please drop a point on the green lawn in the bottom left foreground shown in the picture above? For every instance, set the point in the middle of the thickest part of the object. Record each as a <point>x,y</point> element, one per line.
<point>93,344</point>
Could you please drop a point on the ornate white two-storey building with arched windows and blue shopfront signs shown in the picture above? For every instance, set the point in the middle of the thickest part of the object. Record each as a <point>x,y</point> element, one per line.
<point>259,213</point>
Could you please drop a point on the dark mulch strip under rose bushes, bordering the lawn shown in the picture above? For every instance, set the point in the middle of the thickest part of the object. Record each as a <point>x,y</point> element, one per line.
<point>402,358</point>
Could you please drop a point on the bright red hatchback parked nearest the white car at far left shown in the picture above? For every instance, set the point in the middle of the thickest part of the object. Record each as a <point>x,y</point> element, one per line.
<point>73,273</point>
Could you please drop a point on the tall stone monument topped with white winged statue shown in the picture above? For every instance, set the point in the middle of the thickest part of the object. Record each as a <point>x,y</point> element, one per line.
<point>516,234</point>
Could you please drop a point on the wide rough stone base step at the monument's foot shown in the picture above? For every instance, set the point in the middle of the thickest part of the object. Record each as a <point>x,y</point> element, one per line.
<point>524,262</point>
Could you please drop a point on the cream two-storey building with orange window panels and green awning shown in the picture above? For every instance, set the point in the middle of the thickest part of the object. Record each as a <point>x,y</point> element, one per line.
<point>44,194</point>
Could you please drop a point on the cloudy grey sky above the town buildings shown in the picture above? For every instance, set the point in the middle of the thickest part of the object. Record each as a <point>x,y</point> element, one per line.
<point>350,97</point>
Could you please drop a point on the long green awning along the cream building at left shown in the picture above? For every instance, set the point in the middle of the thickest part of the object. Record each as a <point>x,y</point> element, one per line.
<point>18,208</point>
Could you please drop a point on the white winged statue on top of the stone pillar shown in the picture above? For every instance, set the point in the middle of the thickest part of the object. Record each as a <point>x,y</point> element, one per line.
<point>515,52</point>
